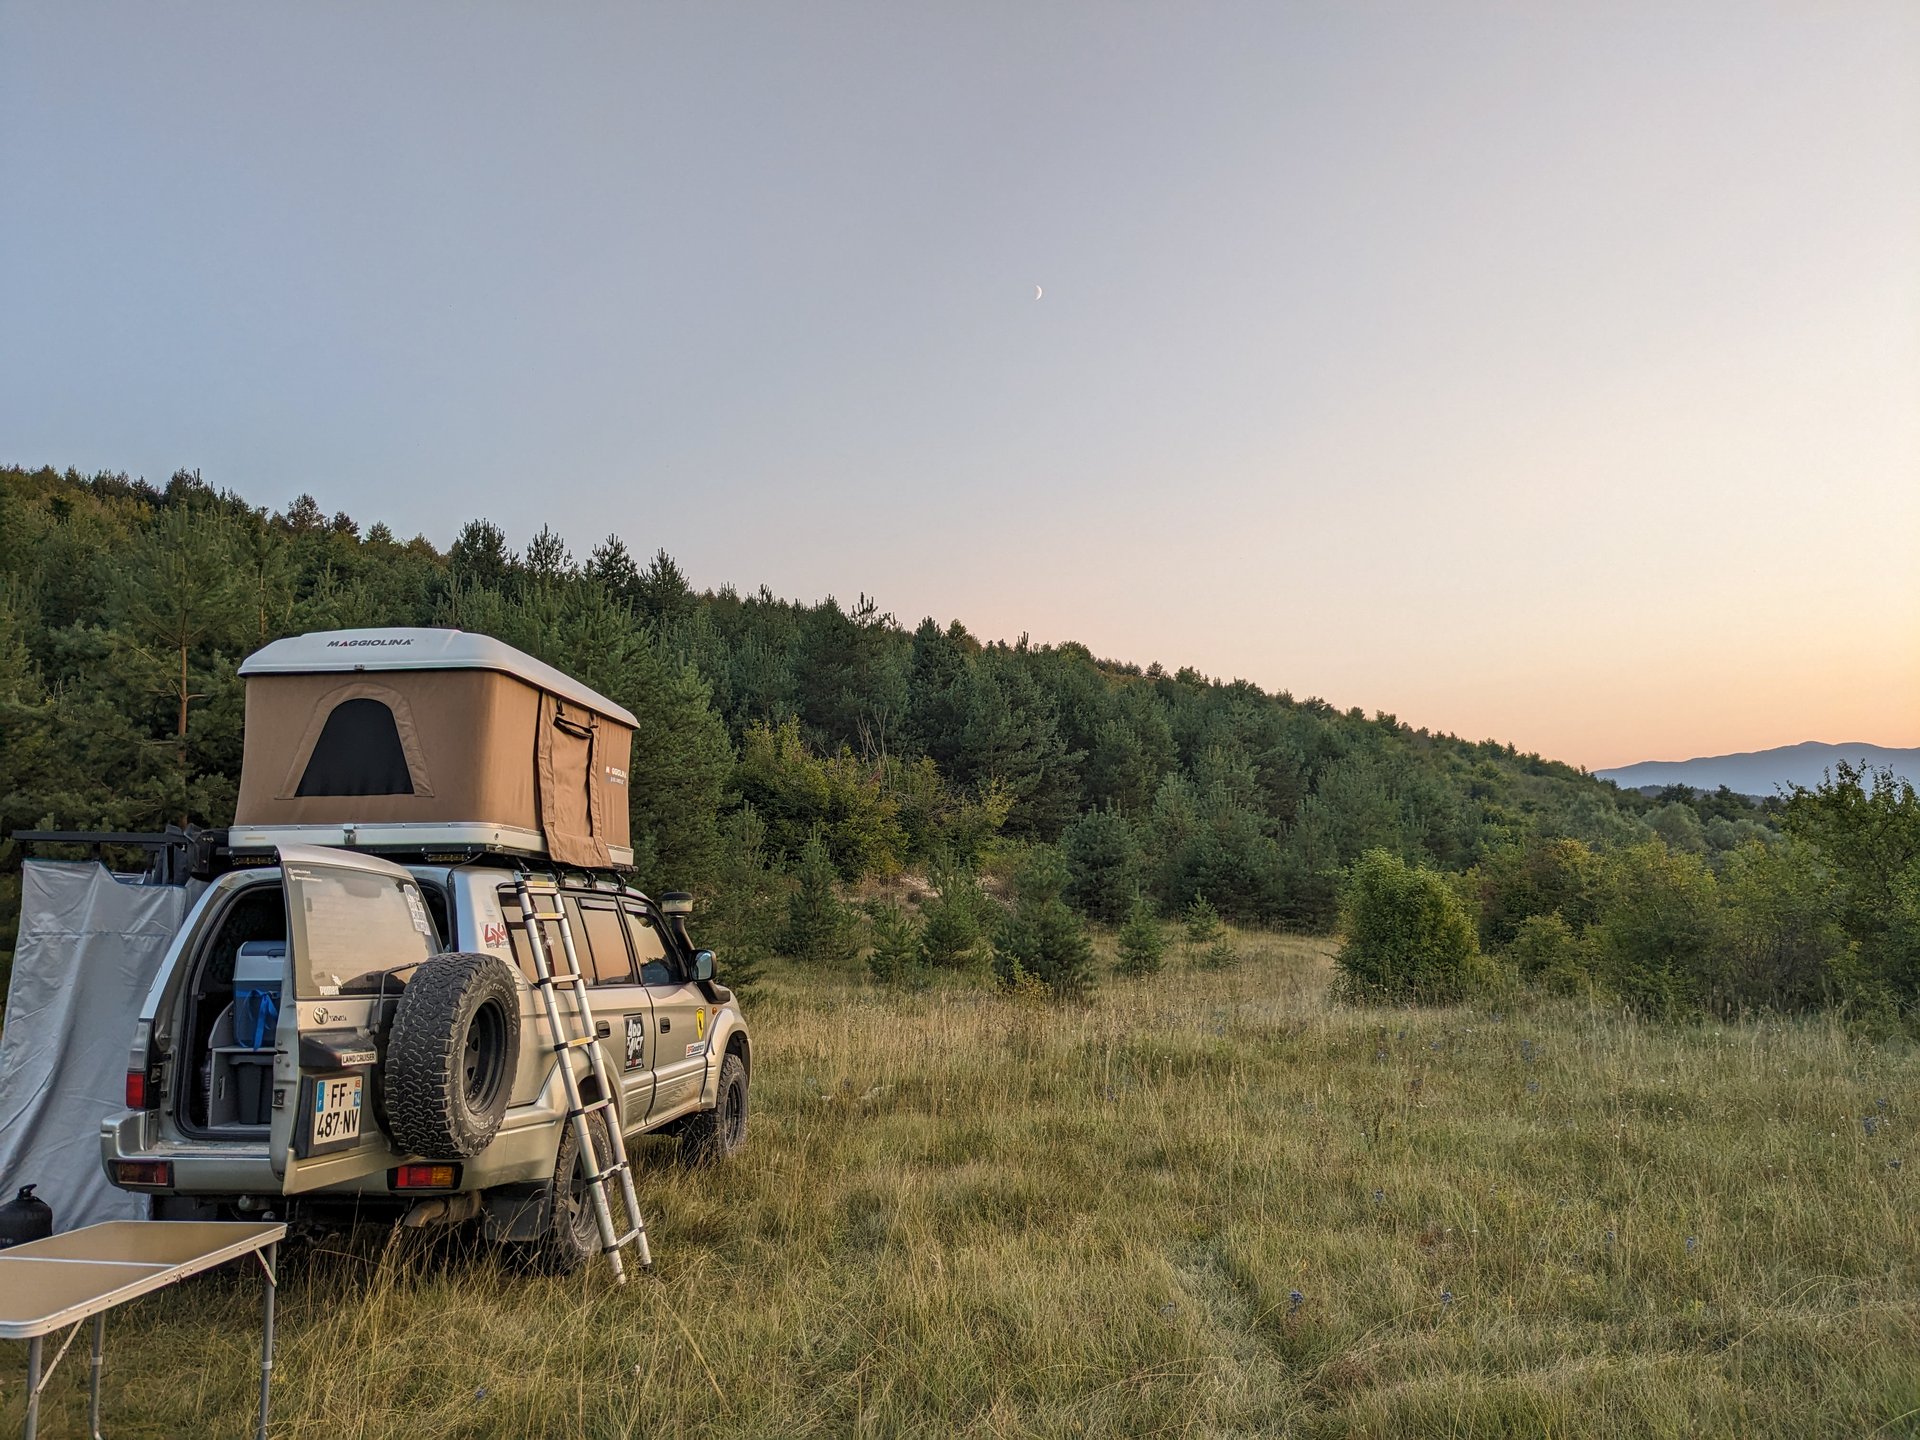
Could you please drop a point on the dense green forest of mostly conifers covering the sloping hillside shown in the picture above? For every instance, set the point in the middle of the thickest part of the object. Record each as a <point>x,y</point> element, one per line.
<point>790,752</point>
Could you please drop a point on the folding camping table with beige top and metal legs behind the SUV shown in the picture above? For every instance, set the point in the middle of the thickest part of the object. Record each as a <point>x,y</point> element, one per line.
<point>84,1274</point>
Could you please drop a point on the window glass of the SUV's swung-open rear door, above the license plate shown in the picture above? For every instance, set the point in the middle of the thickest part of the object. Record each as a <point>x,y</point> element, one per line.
<point>350,926</point>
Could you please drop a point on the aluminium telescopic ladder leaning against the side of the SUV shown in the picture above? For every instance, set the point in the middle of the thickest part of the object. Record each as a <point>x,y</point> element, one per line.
<point>529,894</point>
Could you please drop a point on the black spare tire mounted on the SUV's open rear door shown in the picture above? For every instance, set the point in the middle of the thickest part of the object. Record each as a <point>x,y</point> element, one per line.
<point>450,1057</point>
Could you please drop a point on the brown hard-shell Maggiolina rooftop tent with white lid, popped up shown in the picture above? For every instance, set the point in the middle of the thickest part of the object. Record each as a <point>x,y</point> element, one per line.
<point>431,736</point>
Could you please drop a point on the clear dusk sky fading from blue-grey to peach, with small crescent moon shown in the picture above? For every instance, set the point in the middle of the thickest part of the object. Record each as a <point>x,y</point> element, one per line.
<point>1541,373</point>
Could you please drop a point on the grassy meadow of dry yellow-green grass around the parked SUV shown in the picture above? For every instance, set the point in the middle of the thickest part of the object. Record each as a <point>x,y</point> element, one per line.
<point>1212,1205</point>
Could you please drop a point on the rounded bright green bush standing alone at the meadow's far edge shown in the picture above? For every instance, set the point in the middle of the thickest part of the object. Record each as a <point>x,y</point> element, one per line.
<point>1408,936</point>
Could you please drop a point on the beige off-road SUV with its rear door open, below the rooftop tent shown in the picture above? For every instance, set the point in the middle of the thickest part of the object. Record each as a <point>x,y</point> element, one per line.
<point>339,1036</point>
